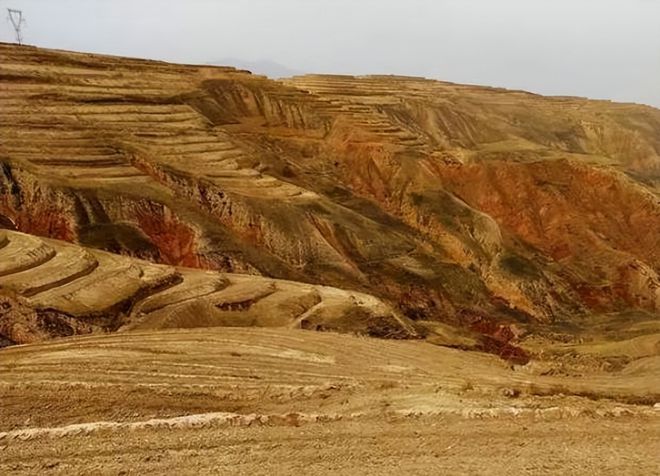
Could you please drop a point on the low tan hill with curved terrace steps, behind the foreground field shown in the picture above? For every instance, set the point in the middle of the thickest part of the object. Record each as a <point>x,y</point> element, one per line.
<point>54,289</point>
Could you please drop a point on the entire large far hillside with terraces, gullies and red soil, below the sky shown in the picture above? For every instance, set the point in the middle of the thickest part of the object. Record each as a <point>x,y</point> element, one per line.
<point>454,203</point>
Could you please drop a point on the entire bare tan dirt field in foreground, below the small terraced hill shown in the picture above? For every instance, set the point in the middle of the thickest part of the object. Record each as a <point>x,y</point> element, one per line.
<point>284,401</point>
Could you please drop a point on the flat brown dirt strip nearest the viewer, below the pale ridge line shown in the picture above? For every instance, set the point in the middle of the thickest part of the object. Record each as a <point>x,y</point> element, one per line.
<point>428,445</point>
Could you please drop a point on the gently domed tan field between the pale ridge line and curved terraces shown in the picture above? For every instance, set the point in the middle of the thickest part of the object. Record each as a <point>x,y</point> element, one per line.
<point>139,375</point>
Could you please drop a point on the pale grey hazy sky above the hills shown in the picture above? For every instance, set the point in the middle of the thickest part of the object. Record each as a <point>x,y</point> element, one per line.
<point>595,48</point>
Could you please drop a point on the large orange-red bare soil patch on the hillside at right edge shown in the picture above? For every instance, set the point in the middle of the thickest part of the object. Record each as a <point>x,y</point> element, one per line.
<point>594,221</point>
